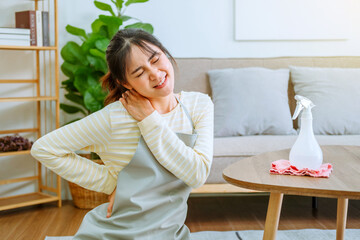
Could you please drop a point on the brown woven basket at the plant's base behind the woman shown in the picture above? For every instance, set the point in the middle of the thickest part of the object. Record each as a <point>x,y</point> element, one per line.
<point>87,199</point>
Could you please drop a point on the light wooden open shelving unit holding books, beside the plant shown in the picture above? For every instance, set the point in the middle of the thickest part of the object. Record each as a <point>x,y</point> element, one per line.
<point>47,112</point>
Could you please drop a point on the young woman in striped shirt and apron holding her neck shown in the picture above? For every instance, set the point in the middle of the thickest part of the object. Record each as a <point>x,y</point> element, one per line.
<point>156,145</point>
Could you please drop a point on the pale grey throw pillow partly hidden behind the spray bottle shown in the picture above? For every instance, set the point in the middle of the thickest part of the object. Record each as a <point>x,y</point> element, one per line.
<point>336,94</point>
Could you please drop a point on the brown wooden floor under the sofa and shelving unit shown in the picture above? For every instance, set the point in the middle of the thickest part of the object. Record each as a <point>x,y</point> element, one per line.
<point>204,214</point>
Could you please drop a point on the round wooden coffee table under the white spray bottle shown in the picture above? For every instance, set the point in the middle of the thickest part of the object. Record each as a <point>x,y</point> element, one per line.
<point>343,183</point>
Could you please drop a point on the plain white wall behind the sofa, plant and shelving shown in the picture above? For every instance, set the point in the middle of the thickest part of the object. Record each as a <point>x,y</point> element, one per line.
<point>188,28</point>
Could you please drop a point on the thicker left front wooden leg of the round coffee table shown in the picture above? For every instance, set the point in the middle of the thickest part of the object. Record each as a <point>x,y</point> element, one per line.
<point>272,216</point>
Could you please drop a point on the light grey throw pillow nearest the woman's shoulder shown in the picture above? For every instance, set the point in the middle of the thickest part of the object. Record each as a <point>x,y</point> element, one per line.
<point>250,101</point>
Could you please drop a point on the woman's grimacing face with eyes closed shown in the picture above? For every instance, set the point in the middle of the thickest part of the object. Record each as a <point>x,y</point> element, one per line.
<point>151,75</point>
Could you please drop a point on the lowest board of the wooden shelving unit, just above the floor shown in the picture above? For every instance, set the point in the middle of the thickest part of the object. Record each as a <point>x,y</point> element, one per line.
<point>25,200</point>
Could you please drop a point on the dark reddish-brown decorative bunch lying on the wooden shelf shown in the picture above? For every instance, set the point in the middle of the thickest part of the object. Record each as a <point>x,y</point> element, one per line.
<point>14,143</point>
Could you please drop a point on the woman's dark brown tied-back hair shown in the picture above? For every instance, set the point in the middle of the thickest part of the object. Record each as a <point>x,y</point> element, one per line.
<point>118,54</point>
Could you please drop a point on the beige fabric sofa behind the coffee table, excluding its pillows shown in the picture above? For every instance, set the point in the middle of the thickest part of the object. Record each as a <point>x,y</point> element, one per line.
<point>192,74</point>
